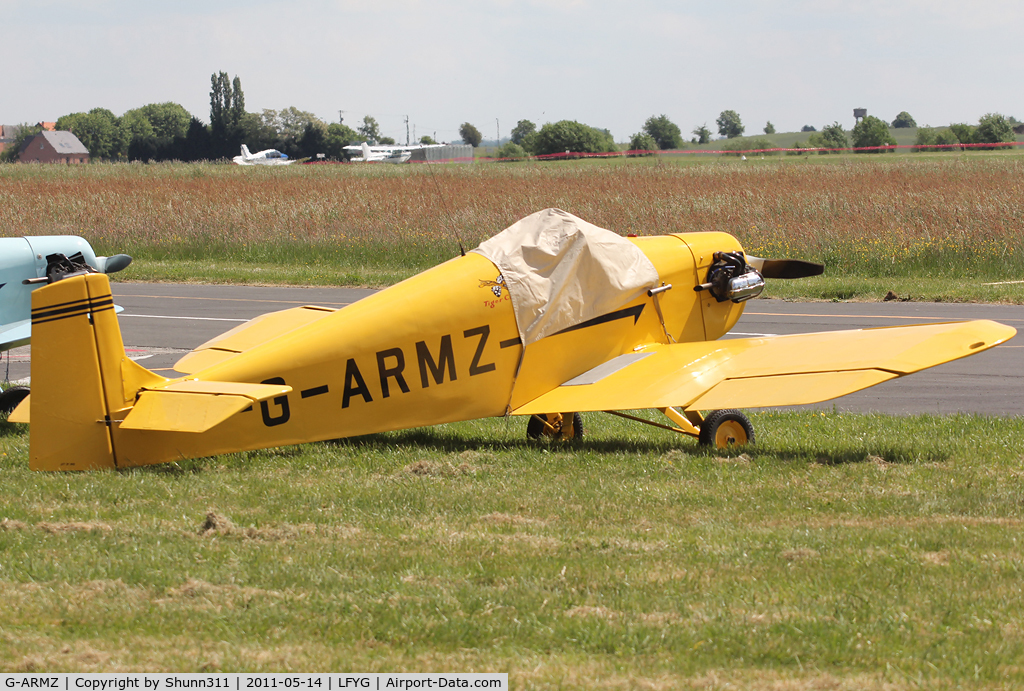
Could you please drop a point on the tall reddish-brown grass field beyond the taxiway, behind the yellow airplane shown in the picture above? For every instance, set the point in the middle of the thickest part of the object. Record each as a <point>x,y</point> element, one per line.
<point>961,217</point>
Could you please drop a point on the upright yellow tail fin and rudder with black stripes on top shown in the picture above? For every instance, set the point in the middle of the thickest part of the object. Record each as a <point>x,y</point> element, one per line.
<point>80,375</point>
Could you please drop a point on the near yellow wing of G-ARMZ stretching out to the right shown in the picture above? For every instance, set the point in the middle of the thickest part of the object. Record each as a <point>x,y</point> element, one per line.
<point>760,372</point>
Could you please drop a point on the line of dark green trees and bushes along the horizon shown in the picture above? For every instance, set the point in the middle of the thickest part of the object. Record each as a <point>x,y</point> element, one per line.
<point>167,132</point>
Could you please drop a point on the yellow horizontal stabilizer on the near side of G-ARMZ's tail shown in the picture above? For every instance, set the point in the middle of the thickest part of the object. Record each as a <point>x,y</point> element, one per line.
<point>196,406</point>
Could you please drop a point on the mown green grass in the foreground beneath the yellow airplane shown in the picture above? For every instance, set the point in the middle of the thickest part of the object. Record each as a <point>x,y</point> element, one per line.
<point>843,552</point>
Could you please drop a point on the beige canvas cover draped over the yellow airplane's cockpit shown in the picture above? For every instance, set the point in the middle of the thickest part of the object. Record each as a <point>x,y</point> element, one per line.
<point>562,271</point>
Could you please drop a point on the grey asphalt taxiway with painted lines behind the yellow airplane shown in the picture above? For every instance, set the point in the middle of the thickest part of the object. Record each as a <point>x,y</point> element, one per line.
<point>162,322</point>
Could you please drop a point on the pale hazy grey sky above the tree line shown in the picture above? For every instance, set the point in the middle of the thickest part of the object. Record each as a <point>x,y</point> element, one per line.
<point>611,65</point>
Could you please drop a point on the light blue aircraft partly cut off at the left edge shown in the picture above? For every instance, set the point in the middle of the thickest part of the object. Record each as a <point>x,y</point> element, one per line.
<point>24,266</point>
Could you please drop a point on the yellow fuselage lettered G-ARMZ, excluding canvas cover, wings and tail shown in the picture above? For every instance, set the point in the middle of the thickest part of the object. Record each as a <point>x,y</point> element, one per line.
<point>440,348</point>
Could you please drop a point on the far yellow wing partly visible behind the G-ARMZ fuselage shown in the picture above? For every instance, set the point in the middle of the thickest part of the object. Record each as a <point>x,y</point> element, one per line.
<point>249,335</point>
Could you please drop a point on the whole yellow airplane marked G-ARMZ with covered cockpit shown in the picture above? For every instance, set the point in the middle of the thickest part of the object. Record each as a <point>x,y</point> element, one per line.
<point>548,319</point>
